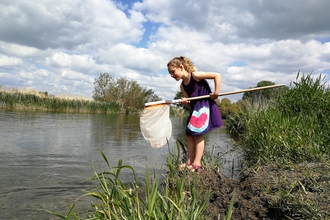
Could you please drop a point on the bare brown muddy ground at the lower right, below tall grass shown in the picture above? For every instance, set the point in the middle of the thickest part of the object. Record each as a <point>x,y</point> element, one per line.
<point>258,193</point>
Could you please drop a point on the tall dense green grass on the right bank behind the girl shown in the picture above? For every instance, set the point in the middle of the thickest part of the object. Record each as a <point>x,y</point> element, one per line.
<point>295,127</point>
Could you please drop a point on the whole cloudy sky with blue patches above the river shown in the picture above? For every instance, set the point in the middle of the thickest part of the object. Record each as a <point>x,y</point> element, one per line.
<point>63,46</point>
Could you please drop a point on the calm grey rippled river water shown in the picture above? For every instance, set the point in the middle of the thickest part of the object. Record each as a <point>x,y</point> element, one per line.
<point>46,158</point>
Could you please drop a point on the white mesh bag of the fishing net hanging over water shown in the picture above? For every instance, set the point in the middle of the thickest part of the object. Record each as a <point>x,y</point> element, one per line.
<point>155,125</point>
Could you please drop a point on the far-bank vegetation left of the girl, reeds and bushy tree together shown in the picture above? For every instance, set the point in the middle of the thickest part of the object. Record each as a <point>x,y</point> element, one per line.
<point>109,96</point>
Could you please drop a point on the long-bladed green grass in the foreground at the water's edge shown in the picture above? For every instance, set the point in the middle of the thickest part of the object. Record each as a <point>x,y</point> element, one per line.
<point>175,198</point>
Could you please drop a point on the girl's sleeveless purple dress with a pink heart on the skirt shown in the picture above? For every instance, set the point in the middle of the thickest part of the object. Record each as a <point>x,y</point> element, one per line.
<point>204,114</point>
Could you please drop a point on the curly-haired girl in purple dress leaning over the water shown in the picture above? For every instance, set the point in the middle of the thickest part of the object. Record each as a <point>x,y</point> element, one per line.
<point>204,114</point>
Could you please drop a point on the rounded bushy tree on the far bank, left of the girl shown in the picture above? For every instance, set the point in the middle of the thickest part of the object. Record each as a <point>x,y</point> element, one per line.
<point>127,92</point>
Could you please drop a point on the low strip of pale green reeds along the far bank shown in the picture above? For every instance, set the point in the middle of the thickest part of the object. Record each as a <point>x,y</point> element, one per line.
<point>31,100</point>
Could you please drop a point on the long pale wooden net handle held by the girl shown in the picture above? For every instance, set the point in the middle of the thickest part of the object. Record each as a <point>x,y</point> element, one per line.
<point>208,96</point>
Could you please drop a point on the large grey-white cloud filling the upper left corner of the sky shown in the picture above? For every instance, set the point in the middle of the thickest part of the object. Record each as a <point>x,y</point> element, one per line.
<point>67,24</point>
